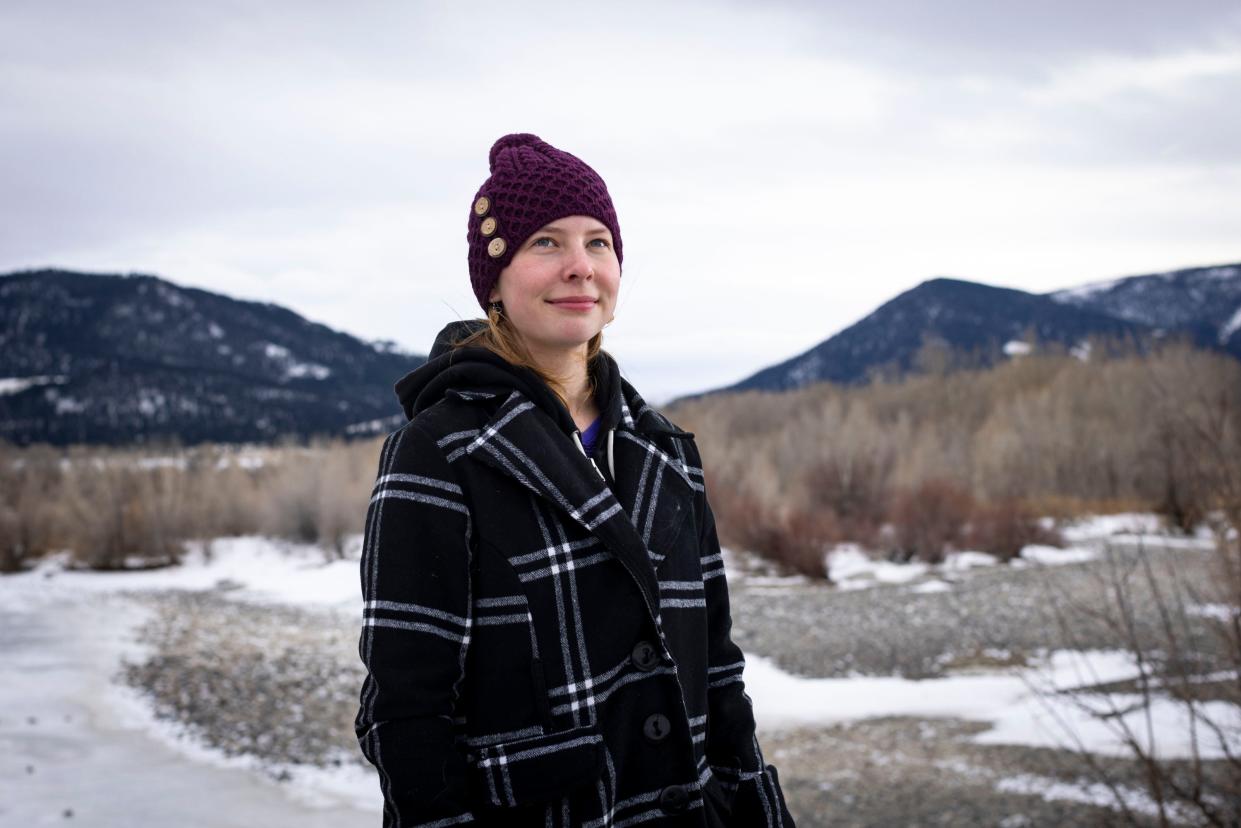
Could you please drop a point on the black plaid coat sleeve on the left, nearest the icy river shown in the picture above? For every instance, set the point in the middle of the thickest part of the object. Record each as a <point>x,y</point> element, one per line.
<point>416,624</point>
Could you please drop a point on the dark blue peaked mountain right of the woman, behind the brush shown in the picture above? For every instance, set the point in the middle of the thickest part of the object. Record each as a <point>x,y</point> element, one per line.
<point>992,323</point>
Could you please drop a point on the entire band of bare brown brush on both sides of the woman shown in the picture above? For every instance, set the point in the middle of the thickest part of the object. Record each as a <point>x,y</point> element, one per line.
<point>910,467</point>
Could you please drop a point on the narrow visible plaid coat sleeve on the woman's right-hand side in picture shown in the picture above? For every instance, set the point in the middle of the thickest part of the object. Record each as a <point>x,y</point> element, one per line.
<point>732,745</point>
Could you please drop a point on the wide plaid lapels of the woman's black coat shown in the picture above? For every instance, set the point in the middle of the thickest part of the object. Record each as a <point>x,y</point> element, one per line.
<point>528,446</point>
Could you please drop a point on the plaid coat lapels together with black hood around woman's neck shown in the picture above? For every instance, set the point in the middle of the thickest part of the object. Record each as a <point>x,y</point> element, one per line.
<point>529,438</point>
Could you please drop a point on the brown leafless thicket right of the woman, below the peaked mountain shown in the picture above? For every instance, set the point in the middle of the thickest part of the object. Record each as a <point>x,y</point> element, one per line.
<point>972,459</point>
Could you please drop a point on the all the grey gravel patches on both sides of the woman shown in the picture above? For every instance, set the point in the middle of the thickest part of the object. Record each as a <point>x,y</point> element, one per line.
<point>282,683</point>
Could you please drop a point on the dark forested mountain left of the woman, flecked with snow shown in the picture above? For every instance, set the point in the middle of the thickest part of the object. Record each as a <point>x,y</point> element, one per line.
<point>120,359</point>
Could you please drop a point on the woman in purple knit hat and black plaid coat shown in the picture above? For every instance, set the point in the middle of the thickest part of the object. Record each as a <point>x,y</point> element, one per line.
<point>547,623</point>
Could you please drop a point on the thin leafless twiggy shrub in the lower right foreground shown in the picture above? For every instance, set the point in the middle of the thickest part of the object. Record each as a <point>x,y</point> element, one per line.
<point>1185,661</point>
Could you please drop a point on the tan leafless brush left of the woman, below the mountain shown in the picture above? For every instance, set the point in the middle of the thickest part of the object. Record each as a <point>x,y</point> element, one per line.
<point>136,507</point>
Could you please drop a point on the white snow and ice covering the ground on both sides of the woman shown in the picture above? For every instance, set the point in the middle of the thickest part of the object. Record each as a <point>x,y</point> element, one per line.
<point>75,739</point>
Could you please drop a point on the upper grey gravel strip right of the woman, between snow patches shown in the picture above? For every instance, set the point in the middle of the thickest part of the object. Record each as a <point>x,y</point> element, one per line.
<point>991,618</point>
